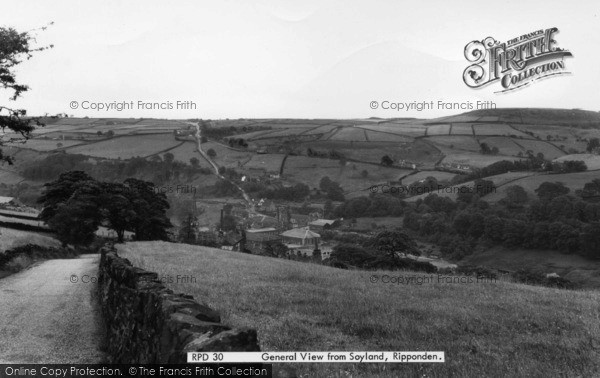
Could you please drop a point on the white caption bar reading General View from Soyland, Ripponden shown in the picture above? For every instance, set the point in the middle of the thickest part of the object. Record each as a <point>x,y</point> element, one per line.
<point>329,357</point>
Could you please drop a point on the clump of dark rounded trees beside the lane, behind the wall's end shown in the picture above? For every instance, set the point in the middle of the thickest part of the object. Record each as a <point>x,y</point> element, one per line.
<point>75,205</point>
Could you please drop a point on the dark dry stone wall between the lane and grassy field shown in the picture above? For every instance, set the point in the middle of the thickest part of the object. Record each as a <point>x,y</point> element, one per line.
<point>148,323</point>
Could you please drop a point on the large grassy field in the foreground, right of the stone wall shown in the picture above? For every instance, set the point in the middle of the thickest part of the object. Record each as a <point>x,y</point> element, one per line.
<point>485,329</point>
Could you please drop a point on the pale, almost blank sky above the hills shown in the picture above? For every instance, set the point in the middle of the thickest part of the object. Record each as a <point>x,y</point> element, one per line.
<point>289,59</point>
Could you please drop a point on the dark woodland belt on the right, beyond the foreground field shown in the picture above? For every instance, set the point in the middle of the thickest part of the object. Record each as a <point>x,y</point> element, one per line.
<point>555,219</point>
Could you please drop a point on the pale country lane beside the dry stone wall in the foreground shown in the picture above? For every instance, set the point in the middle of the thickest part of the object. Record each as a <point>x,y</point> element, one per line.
<point>45,318</point>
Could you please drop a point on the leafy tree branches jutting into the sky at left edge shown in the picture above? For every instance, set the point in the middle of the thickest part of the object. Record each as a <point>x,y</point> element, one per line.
<point>14,48</point>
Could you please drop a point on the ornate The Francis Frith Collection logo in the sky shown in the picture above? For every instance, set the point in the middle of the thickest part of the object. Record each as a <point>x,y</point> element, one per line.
<point>516,63</point>
